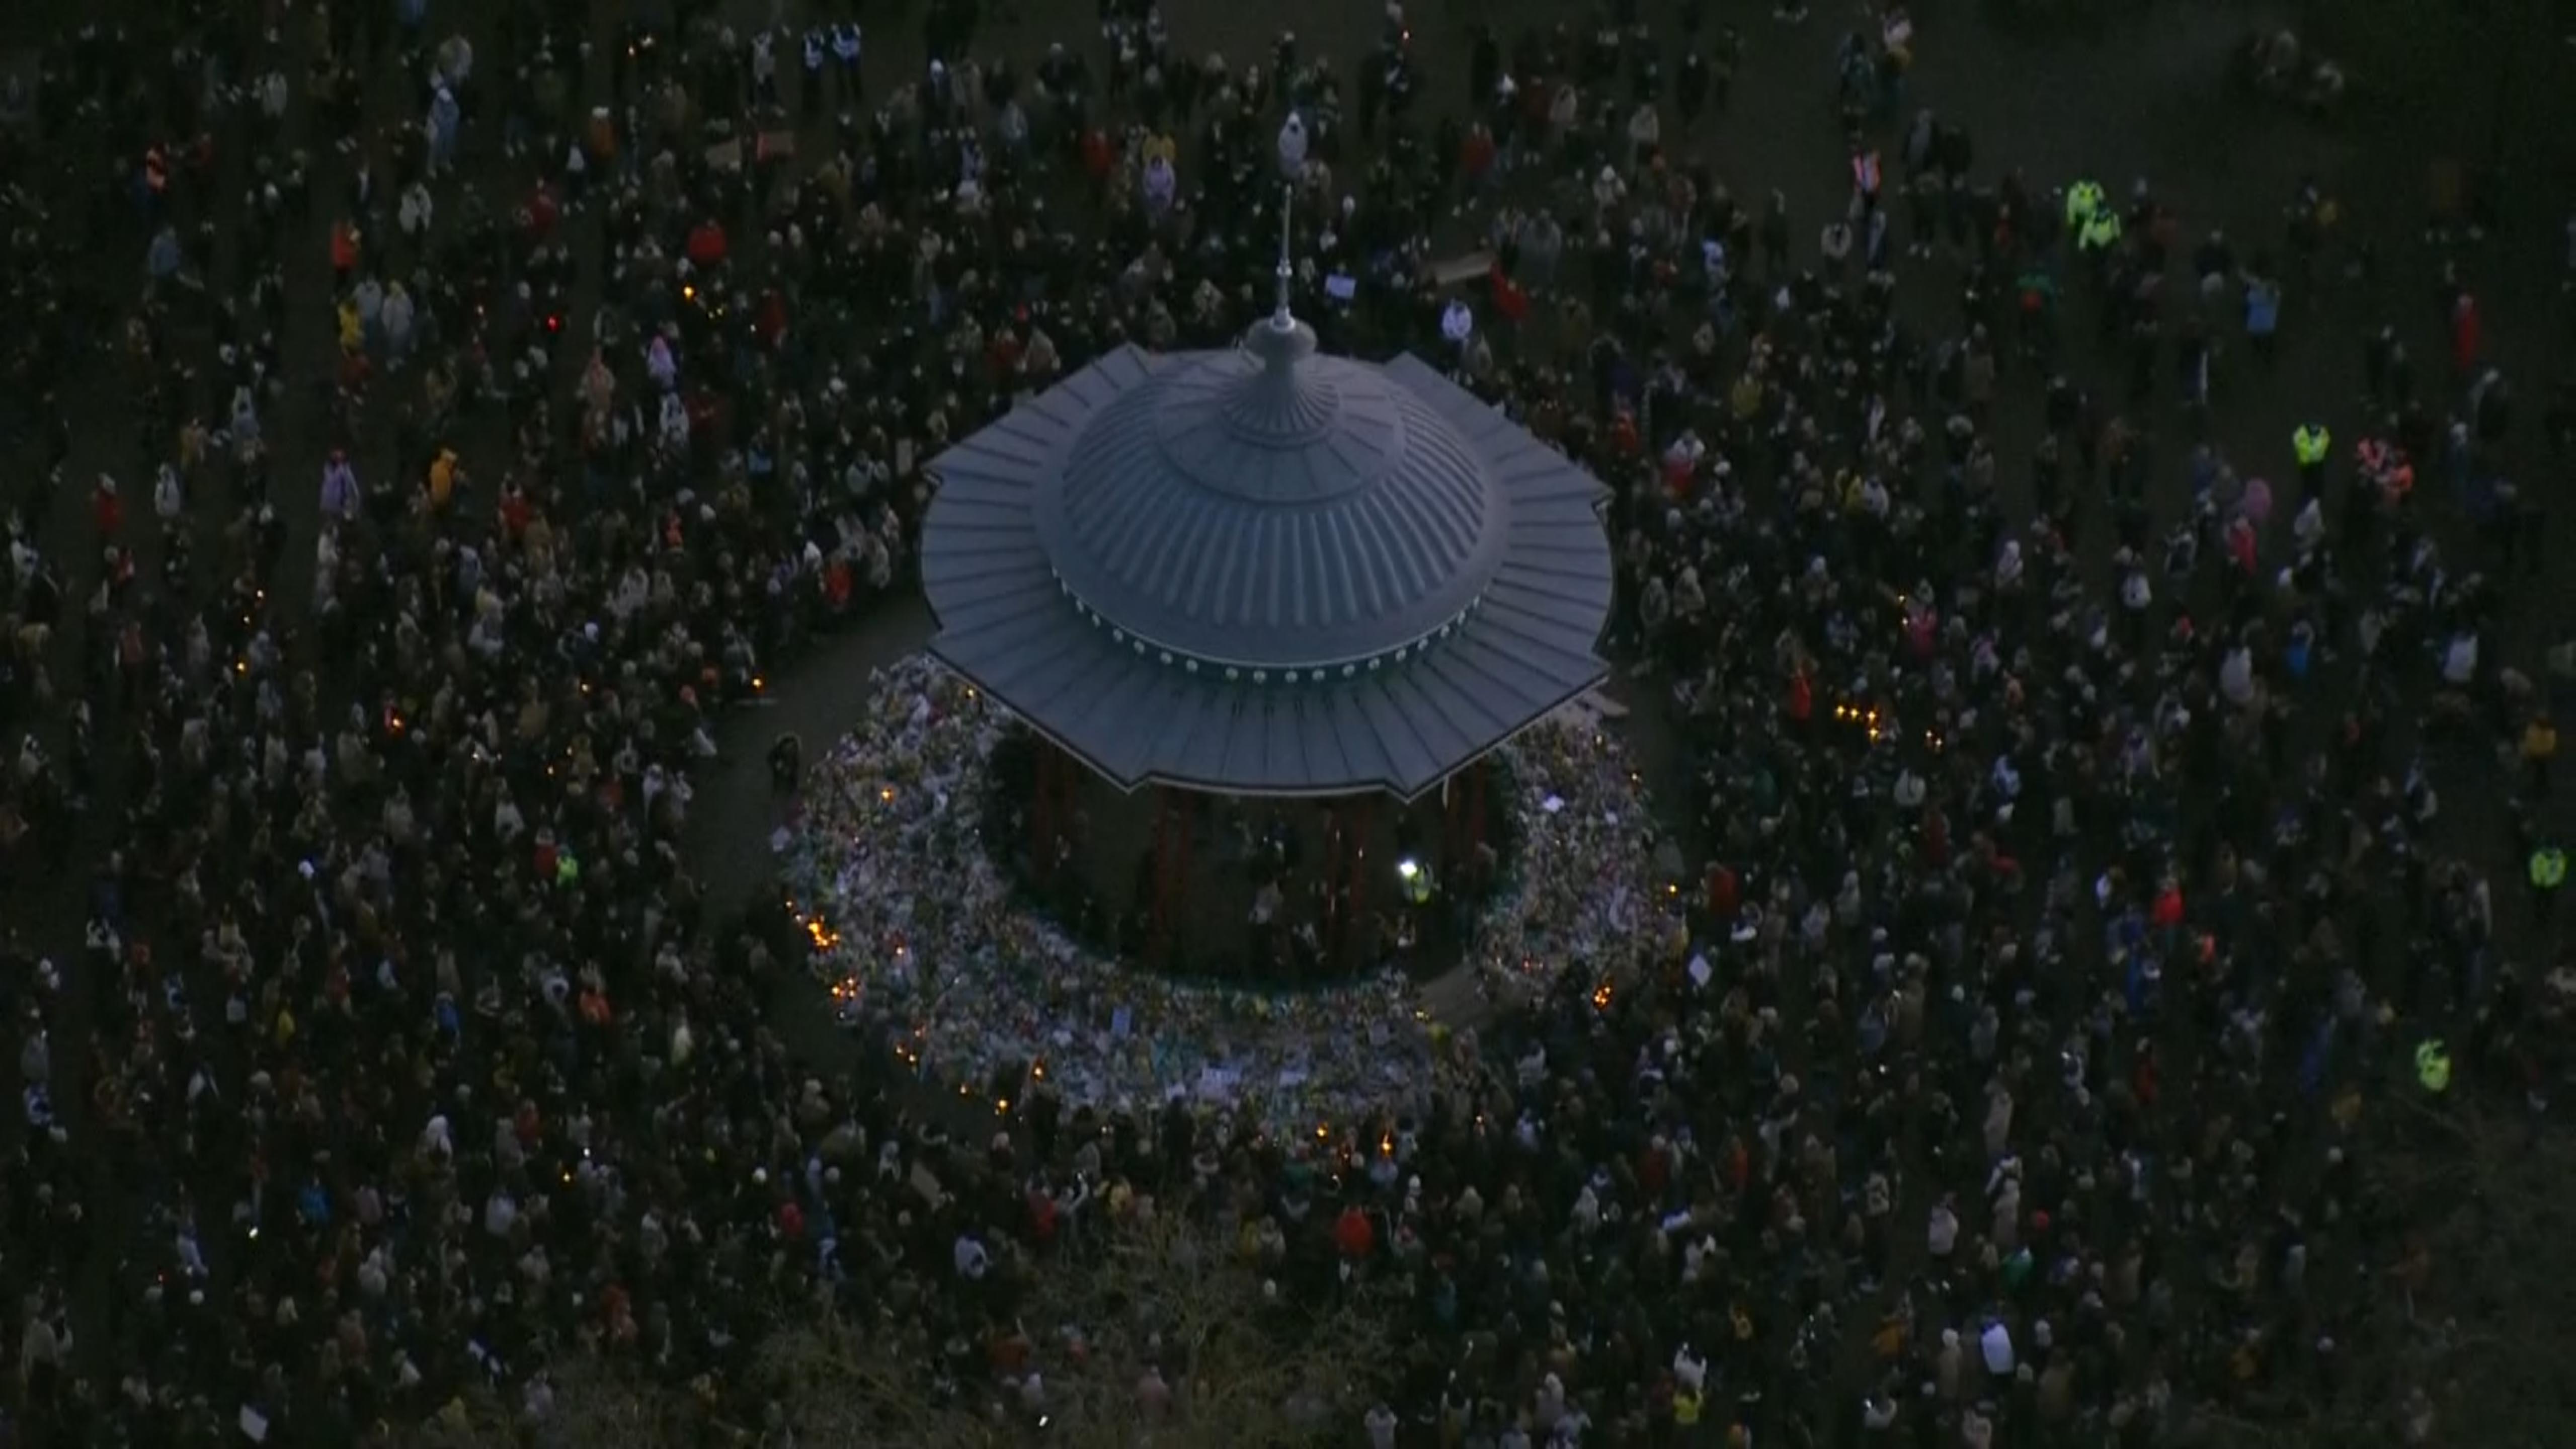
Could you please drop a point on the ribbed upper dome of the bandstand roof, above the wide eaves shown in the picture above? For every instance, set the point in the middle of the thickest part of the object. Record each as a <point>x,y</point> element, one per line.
<point>1274,512</point>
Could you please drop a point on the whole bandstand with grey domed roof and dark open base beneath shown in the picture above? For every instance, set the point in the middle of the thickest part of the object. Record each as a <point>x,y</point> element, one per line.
<point>1264,618</point>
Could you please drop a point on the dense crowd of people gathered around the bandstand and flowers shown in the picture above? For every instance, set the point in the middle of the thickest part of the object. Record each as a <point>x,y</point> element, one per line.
<point>2078,886</point>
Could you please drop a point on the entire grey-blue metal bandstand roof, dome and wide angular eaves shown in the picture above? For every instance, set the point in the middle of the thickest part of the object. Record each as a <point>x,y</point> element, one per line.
<point>1266,571</point>
